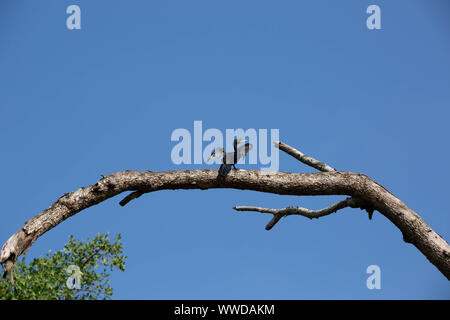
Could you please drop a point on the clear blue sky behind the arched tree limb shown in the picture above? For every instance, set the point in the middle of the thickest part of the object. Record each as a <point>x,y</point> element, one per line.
<point>75,104</point>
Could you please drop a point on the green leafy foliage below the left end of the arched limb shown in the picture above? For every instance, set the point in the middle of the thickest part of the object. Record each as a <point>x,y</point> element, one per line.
<point>46,277</point>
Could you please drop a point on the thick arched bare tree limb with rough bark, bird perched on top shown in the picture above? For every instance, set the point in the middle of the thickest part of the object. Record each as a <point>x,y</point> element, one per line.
<point>414,229</point>
